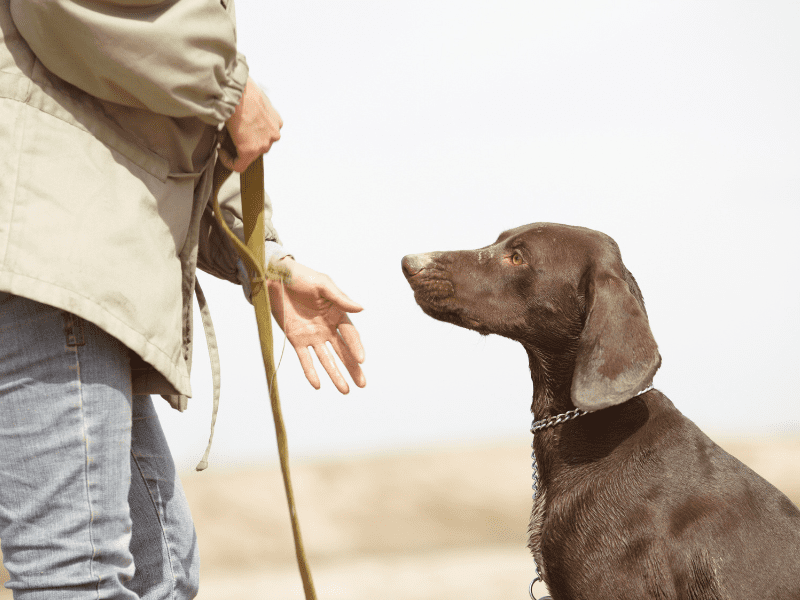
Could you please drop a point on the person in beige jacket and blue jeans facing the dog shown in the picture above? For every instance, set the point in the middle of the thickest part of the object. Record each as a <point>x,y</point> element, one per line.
<point>111,119</point>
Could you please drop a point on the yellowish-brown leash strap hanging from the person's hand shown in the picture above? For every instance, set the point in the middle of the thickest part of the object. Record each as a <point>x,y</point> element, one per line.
<point>252,255</point>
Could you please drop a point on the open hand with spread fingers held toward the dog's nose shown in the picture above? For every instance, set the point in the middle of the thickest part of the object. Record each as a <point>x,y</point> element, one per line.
<point>311,310</point>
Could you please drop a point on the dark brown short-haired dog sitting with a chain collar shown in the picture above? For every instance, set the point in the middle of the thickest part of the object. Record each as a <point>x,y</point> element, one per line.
<point>634,501</point>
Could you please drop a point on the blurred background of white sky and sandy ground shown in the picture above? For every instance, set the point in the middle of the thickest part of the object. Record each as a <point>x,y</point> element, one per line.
<point>414,126</point>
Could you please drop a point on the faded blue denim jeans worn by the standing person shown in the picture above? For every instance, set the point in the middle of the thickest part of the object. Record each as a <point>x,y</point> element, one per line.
<point>90,504</point>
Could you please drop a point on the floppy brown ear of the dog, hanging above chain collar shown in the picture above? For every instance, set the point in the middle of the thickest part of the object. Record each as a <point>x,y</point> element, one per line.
<point>617,354</point>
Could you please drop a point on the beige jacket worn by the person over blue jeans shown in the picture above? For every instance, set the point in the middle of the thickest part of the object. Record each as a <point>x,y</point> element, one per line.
<point>110,113</point>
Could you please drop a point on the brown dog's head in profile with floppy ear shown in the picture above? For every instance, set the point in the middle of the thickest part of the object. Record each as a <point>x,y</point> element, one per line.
<point>562,292</point>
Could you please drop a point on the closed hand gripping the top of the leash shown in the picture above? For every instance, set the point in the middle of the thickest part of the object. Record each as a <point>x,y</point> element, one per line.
<point>254,126</point>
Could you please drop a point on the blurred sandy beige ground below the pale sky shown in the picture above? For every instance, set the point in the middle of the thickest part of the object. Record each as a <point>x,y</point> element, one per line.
<point>445,523</point>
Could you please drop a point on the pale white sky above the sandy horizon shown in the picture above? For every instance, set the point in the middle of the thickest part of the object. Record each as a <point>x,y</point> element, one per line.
<point>673,126</point>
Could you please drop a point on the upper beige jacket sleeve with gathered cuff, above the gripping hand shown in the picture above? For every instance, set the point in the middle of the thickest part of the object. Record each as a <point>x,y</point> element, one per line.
<point>176,57</point>
